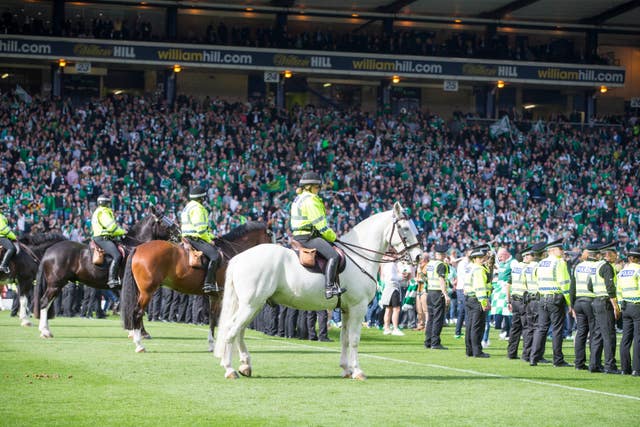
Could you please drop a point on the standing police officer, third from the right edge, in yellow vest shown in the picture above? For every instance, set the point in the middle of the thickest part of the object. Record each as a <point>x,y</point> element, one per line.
<point>581,295</point>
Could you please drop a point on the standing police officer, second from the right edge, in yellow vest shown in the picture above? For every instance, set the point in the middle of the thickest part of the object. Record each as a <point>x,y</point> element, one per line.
<point>605,310</point>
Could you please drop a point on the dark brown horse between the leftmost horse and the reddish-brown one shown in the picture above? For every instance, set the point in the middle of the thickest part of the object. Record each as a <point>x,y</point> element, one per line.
<point>71,261</point>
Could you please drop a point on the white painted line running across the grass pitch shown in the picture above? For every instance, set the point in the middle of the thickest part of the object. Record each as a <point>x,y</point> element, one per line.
<point>465,371</point>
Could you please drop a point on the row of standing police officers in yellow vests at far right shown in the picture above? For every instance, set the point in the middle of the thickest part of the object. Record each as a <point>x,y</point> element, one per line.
<point>596,296</point>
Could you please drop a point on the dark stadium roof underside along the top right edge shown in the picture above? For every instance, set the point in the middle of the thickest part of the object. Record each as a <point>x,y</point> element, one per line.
<point>621,15</point>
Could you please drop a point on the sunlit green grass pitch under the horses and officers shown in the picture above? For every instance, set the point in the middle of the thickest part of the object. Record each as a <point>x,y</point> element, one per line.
<point>89,374</point>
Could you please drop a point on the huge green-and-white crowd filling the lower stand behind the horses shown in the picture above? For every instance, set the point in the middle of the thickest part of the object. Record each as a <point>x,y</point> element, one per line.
<point>461,186</point>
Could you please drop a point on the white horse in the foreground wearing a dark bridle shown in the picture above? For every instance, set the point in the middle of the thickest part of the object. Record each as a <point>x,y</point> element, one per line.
<point>272,272</point>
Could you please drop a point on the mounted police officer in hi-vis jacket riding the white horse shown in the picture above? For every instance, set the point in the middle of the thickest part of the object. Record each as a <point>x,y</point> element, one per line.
<point>310,228</point>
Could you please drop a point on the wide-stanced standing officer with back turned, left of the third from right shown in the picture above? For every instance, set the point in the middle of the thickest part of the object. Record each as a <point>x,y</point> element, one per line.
<point>553,285</point>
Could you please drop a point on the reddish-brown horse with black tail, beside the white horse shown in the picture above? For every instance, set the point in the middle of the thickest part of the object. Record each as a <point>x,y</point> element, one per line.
<point>160,263</point>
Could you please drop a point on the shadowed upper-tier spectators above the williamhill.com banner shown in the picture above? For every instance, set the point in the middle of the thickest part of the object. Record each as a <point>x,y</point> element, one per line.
<point>423,42</point>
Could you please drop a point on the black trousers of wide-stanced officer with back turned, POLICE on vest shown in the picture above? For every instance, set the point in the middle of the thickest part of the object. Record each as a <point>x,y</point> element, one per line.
<point>551,312</point>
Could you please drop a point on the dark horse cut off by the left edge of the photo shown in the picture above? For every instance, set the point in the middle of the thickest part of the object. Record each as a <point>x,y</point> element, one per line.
<point>24,266</point>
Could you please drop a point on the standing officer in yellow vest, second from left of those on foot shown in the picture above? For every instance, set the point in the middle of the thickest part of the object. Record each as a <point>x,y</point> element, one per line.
<point>477,293</point>
